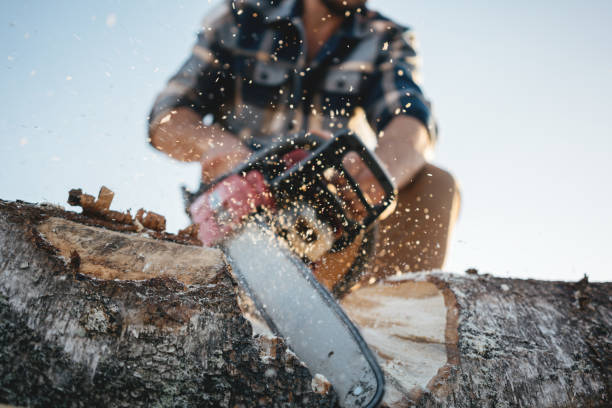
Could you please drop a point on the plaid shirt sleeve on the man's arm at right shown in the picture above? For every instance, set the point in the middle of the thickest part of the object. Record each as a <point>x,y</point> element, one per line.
<point>395,89</point>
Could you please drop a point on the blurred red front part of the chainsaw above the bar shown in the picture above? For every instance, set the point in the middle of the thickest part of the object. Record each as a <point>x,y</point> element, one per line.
<point>220,210</point>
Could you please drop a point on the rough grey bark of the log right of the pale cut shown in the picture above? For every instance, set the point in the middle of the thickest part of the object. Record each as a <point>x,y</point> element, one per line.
<point>525,343</point>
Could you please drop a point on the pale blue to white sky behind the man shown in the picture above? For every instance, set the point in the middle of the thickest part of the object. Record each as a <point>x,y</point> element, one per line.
<point>522,91</point>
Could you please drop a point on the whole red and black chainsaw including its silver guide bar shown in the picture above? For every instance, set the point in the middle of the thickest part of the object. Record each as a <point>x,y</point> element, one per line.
<point>279,215</point>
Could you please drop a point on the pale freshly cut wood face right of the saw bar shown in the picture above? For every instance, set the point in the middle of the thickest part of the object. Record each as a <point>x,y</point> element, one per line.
<point>407,325</point>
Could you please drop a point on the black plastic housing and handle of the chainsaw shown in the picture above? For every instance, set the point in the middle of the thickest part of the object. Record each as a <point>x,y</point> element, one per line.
<point>305,182</point>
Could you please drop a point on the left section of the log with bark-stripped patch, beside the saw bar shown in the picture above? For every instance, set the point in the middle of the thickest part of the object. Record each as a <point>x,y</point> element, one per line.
<point>89,318</point>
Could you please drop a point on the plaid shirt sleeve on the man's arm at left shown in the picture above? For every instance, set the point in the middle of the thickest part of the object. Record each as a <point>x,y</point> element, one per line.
<point>203,81</point>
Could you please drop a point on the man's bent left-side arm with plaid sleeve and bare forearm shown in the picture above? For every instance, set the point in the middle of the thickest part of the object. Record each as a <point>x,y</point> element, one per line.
<point>200,87</point>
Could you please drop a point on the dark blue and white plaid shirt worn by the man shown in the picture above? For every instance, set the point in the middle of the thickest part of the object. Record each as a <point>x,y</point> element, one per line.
<point>248,69</point>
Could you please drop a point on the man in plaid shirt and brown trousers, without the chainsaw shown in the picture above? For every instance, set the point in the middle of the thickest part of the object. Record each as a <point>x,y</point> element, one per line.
<point>261,70</point>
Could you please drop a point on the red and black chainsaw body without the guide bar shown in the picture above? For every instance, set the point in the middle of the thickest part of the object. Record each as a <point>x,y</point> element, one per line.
<point>294,184</point>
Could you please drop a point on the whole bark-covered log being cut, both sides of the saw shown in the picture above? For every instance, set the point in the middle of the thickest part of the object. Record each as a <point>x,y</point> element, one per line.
<point>96,312</point>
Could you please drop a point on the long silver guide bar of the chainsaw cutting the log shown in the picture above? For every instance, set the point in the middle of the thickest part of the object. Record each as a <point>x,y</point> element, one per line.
<point>299,309</point>
